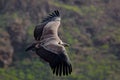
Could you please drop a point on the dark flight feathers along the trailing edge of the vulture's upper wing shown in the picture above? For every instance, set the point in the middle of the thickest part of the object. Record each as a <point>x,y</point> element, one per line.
<point>39,28</point>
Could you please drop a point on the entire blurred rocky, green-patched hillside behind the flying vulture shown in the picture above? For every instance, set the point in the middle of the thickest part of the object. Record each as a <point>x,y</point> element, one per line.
<point>91,27</point>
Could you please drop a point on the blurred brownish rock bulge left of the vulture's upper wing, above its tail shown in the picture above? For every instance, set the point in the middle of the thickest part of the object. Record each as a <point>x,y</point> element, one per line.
<point>17,34</point>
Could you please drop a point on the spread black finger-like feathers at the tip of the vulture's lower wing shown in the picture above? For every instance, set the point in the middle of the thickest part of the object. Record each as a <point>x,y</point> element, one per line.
<point>61,67</point>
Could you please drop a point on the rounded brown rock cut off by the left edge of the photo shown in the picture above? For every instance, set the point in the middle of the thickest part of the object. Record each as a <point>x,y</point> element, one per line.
<point>6,50</point>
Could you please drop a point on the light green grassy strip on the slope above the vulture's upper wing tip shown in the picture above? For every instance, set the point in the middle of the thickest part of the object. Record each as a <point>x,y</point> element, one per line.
<point>83,10</point>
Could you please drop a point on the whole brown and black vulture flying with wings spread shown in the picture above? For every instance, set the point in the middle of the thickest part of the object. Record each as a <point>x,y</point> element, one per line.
<point>49,46</point>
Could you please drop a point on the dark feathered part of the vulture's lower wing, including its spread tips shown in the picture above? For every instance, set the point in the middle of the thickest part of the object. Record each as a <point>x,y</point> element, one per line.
<point>59,61</point>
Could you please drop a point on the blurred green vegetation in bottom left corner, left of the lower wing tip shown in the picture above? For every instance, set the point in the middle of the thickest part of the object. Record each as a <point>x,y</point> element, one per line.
<point>26,70</point>
